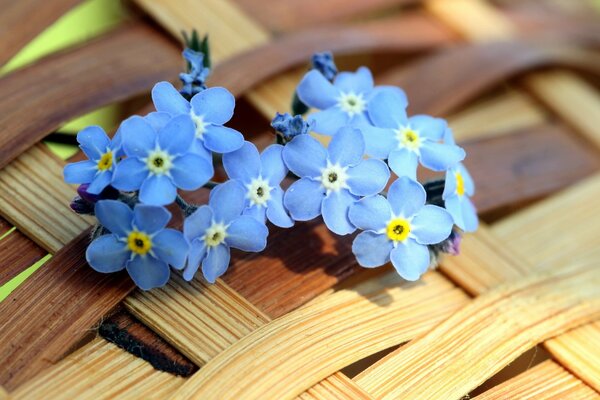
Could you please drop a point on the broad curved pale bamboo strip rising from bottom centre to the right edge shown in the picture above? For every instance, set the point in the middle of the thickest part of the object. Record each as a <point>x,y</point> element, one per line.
<point>482,338</point>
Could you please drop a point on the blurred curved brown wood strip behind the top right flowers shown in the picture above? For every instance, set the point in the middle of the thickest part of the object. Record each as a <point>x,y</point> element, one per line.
<point>458,75</point>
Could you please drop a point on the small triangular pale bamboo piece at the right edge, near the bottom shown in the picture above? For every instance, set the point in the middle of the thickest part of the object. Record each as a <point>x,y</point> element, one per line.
<point>578,351</point>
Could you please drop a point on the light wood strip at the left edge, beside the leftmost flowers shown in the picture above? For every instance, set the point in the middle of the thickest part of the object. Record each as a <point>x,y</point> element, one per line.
<point>35,199</point>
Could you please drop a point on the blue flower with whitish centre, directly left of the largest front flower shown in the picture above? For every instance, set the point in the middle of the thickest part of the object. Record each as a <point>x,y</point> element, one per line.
<point>261,175</point>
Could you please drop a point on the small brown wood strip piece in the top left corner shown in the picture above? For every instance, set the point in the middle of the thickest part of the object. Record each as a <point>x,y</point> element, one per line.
<point>21,21</point>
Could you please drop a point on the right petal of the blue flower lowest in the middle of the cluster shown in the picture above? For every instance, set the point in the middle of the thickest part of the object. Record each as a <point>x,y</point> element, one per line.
<point>247,234</point>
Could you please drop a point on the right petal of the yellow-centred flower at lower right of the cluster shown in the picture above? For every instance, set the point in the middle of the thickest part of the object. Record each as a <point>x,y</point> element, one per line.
<point>431,225</point>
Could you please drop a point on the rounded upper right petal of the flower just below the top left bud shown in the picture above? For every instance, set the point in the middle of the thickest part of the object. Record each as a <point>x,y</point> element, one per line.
<point>214,104</point>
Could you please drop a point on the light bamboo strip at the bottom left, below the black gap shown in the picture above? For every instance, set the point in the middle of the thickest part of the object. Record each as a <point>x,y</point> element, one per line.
<point>100,370</point>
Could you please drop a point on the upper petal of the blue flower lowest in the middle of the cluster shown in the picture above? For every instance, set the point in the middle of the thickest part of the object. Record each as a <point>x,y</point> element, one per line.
<point>227,201</point>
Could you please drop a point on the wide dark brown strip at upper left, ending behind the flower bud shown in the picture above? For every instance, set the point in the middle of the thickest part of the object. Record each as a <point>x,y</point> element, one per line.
<point>36,100</point>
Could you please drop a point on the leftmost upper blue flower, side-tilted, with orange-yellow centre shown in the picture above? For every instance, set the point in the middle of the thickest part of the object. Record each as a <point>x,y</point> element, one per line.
<point>102,155</point>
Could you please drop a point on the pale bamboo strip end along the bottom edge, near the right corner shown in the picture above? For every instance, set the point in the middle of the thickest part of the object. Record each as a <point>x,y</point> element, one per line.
<point>545,381</point>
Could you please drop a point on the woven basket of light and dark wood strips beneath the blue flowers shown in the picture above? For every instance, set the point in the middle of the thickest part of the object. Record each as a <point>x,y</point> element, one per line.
<point>516,81</point>
